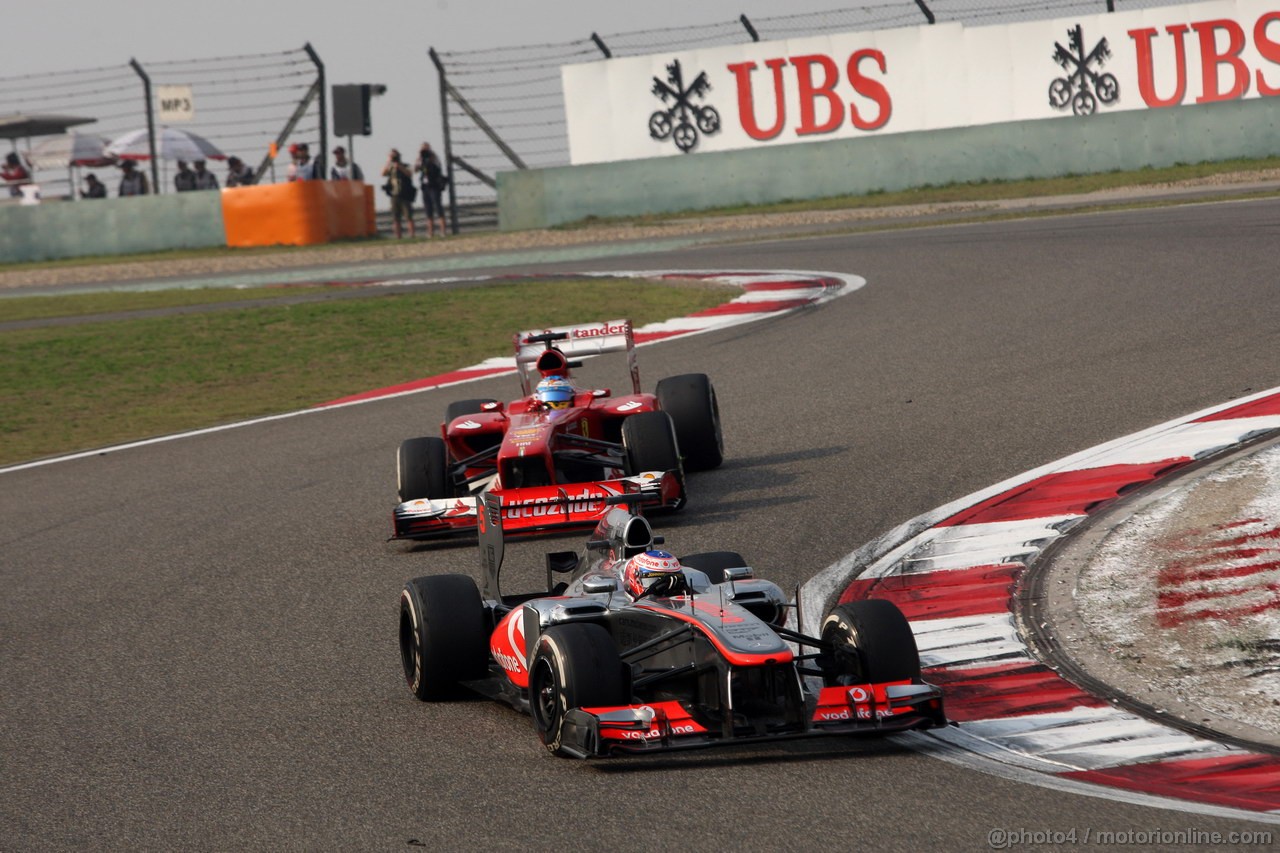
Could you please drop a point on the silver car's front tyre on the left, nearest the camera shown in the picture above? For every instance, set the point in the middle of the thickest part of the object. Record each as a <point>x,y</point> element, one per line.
<point>575,667</point>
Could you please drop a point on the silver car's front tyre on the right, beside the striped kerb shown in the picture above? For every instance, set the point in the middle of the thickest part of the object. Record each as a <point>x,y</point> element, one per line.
<point>870,642</point>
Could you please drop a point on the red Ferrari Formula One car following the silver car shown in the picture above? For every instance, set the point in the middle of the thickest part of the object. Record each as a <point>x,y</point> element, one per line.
<point>560,450</point>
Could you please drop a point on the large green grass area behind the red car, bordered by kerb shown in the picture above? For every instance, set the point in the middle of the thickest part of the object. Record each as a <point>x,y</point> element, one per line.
<point>75,387</point>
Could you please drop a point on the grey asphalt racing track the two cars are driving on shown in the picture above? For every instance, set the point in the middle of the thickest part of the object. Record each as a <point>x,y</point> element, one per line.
<point>198,638</point>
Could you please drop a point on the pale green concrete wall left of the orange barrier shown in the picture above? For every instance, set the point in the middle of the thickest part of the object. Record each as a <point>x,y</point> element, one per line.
<point>111,226</point>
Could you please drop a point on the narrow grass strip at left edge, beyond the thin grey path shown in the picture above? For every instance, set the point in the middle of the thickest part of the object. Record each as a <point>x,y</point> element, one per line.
<point>43,308</point>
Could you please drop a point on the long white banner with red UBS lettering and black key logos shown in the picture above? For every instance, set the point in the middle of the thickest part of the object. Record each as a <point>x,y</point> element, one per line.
<point>921,79</point>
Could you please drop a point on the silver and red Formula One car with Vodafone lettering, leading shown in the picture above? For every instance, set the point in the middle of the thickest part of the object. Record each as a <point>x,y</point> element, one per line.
<point>639,653</point>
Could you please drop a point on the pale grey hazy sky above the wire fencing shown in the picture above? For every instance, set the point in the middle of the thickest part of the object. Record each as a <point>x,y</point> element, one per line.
<point>378,42</point>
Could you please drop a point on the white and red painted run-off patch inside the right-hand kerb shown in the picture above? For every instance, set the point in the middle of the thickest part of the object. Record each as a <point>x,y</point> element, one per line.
<point>1185,597</point>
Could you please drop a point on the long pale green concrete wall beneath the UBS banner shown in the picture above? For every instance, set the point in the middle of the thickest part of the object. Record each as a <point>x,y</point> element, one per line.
<point>1039,149</point>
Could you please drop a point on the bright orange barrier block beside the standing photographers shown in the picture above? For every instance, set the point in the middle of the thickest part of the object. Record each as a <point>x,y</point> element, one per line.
<point>300,213</point>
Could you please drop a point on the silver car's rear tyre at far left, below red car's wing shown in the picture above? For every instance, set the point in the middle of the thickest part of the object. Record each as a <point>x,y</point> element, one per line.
<point>442,635</point>
